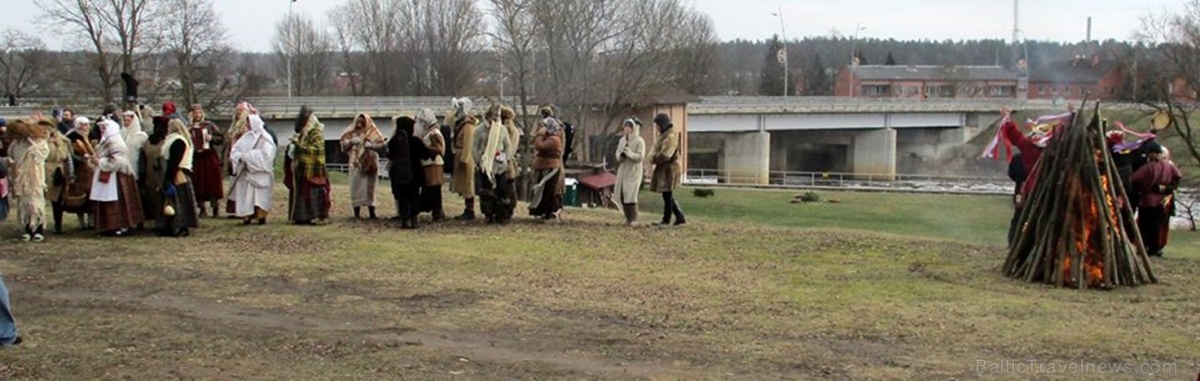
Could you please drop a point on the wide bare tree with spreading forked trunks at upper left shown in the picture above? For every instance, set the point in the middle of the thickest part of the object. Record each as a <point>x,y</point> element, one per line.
<point>103,25</point>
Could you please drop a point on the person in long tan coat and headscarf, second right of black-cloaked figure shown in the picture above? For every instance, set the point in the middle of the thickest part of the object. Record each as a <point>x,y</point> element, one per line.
<point>463,180</point>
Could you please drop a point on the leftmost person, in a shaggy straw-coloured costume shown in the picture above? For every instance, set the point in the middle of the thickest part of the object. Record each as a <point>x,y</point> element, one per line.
<point>27,176</point>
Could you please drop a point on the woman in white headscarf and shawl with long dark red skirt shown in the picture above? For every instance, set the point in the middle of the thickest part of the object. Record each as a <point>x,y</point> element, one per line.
<point>115,190</point>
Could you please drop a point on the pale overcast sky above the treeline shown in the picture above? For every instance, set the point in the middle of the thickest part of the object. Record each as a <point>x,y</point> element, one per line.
<point>250,22</point>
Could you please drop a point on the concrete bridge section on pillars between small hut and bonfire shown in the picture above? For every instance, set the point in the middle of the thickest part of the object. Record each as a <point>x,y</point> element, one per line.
<point>747,138</point>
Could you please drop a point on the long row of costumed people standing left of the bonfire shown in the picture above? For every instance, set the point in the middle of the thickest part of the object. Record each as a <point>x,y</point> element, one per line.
<point>133,167</point>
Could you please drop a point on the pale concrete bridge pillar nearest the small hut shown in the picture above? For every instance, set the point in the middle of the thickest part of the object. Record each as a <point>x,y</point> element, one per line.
<point>747,158</point>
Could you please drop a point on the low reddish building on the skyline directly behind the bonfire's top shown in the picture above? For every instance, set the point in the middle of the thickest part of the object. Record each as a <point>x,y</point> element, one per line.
<point>1077,78</point>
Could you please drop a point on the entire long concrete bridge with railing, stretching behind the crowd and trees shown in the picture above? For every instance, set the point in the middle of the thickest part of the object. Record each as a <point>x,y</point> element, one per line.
<point>741,137</point>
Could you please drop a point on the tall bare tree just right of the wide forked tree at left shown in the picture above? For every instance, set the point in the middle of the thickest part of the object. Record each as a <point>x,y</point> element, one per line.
<point>199,44</point>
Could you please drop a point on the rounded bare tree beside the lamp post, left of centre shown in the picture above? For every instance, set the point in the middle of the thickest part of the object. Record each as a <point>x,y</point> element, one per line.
<point>309,49</point>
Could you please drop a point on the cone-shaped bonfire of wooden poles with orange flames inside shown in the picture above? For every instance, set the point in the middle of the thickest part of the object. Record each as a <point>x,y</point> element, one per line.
<point>1075,231</point>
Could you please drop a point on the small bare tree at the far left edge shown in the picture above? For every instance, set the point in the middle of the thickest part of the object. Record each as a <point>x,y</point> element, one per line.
<point>22,59</point>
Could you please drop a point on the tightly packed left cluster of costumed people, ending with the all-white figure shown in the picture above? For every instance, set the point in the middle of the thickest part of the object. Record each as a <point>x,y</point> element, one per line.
<point>129,168</point>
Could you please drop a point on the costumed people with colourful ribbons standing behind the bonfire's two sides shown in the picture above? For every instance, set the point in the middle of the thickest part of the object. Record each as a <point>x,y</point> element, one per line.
<point>1148,174</point>
